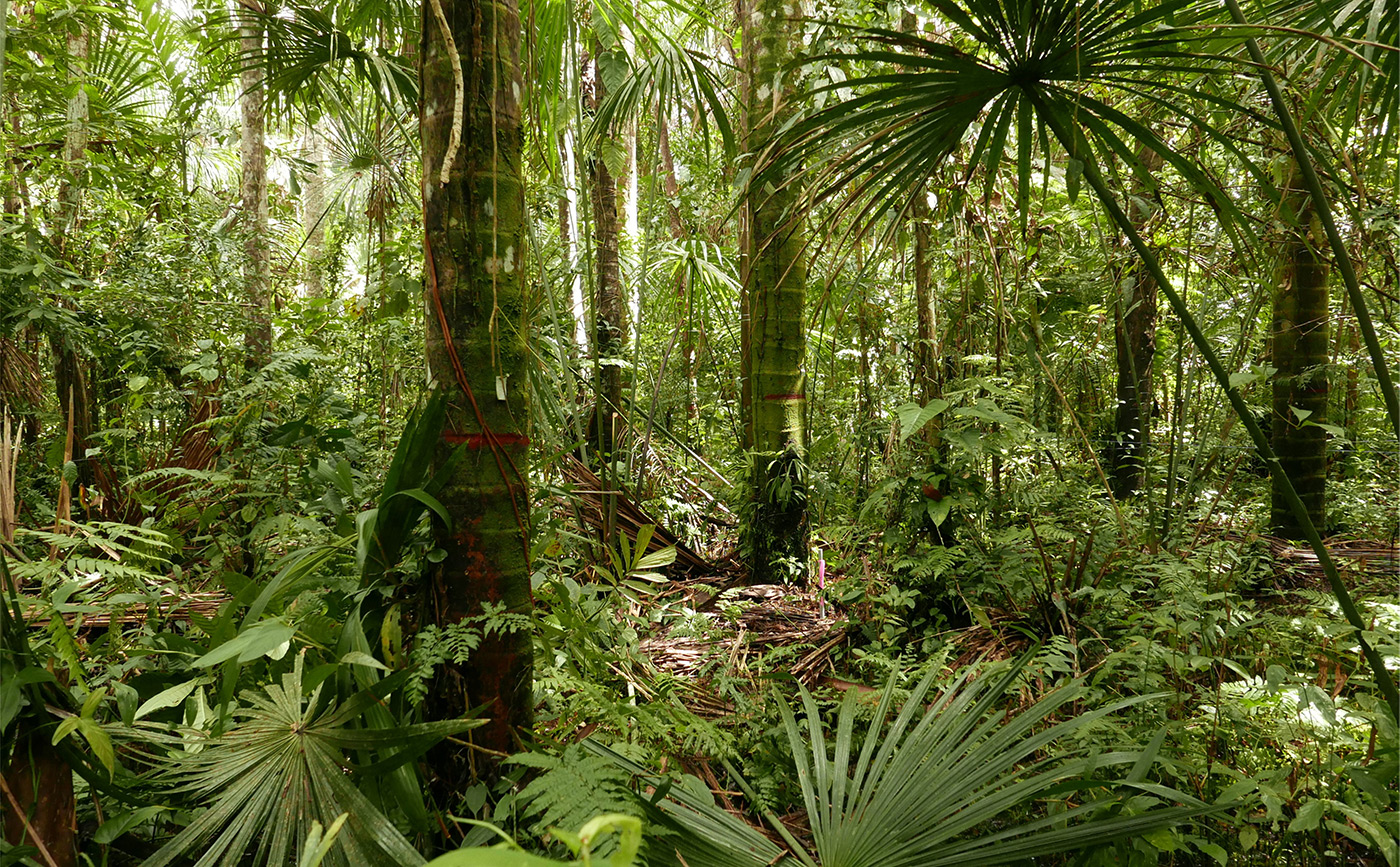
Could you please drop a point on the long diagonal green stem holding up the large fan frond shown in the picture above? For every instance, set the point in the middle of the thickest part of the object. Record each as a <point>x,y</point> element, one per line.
<point>1349,609</point>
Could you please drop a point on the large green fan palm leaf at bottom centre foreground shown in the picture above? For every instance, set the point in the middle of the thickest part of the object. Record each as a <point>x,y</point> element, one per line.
<point>947,784</point>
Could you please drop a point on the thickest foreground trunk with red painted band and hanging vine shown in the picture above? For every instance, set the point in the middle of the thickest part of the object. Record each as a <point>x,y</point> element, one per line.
<point>477,351</point>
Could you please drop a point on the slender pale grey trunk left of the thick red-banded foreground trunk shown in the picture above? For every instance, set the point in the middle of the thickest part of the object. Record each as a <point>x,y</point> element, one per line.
<point>254,187</point>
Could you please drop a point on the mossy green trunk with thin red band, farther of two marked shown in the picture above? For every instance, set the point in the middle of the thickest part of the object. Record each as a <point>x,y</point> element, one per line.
<point>773,264</point>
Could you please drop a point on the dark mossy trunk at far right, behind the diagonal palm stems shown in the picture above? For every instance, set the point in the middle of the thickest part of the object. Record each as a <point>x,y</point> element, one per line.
<point>1300,355</point>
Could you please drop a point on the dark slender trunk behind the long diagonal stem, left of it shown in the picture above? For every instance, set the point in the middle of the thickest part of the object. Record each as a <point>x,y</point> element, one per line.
<point>1135,340</point>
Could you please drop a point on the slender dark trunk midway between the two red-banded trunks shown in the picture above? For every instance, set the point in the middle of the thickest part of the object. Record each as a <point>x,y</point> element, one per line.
<point>610,296</point>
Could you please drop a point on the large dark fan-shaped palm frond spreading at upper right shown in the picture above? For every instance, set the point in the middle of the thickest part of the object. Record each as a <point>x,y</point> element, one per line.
<point>929,96</point>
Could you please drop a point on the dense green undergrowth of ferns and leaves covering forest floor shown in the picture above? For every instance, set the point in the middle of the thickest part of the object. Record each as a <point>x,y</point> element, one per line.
<point>180,683</point>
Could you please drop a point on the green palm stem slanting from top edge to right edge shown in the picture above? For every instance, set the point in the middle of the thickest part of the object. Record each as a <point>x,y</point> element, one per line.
<point>1324,209</point>
